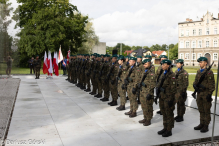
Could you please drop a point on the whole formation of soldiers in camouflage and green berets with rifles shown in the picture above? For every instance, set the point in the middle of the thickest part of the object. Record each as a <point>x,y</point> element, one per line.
<point>119,75</point>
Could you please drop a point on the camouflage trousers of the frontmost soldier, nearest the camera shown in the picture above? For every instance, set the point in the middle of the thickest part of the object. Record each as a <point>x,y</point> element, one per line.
<point>167,111</point>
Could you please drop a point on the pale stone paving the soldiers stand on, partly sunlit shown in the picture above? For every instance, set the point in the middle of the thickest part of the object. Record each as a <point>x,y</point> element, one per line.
<point>57,113</point>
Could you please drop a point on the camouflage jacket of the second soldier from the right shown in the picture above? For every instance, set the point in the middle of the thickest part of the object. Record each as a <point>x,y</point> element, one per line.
<point>182,80</point>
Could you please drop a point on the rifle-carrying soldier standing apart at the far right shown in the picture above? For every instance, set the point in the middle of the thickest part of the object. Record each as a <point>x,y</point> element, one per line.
<point>205,91</point>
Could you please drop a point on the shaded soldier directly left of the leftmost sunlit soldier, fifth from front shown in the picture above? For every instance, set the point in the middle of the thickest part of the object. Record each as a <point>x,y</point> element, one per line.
<point>113,70</point>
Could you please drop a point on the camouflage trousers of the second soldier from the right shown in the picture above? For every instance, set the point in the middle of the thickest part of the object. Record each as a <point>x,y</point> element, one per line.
<point>180,102</point>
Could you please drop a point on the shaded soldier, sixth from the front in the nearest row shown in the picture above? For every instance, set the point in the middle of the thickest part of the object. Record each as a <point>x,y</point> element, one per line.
<point>103,78</point>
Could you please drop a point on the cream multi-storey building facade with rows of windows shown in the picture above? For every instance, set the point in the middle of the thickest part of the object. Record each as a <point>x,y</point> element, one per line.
<point>199,38</point>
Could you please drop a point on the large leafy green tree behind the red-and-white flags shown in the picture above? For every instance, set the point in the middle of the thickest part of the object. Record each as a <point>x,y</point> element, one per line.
<point>45,25</point>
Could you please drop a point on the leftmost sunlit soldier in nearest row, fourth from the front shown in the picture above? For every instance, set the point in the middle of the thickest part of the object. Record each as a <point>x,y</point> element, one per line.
<point>120,79</point>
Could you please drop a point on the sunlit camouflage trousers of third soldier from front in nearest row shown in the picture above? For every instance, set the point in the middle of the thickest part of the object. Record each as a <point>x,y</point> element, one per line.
<point>132,99</point>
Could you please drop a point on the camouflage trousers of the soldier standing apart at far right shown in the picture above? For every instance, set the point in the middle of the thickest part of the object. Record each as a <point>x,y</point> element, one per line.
<point>204,108</point>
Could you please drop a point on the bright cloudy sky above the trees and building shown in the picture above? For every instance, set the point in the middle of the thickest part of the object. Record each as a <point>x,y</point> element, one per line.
<point>141,22</point>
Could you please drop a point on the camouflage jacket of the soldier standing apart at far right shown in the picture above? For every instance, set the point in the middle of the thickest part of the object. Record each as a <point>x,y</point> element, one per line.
<point>208,82</point>
